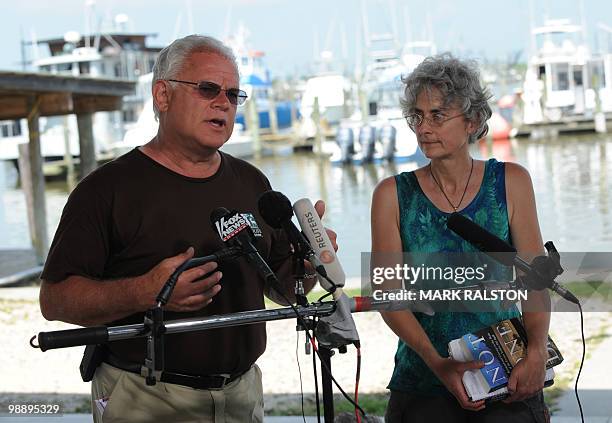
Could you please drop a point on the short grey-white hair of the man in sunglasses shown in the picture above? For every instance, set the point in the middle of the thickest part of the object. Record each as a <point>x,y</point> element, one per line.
<point>172,58</point>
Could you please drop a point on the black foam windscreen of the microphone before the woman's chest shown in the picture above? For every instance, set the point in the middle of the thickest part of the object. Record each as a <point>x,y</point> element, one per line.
<point>481,239</point>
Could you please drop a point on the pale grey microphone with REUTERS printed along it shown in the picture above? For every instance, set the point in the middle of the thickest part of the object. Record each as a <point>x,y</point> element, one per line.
<point>319,241</point>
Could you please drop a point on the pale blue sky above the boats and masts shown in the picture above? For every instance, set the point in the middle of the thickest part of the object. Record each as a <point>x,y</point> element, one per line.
<point>291,33</point>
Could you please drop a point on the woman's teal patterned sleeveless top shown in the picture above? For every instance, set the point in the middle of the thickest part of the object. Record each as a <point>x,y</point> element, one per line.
<point>423,230</point>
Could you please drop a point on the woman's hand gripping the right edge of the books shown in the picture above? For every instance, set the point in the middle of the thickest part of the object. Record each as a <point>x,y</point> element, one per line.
<point>527,377</point>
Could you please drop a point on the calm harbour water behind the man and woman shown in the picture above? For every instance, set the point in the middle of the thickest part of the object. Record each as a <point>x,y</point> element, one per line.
<point>572,179</point>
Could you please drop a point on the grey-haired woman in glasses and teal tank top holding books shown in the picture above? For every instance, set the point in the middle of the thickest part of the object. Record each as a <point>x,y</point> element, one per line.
<point>447,108</point>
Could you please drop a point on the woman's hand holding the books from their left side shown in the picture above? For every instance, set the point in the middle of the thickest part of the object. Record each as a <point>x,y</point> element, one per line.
<point>450,373</point>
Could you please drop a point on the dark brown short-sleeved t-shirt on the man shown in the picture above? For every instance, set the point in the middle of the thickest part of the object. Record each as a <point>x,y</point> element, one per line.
<point>130,214</point>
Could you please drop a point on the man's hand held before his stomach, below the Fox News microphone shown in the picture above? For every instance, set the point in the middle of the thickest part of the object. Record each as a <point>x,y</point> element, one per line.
<point>189,294</point>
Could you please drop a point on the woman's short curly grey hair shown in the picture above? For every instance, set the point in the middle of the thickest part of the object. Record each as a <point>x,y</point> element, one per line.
<point>459,83</point>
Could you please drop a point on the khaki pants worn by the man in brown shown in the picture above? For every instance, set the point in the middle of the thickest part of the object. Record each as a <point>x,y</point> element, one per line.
<point>120,396</point>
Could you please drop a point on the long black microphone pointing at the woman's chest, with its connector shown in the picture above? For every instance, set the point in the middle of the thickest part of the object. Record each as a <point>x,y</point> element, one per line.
<point>537,278</point>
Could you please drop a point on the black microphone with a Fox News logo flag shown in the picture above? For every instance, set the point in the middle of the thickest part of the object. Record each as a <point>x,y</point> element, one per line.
<point>234,229</point>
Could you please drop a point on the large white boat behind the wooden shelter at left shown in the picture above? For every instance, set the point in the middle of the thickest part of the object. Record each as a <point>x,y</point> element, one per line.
<point>113,53</point>
